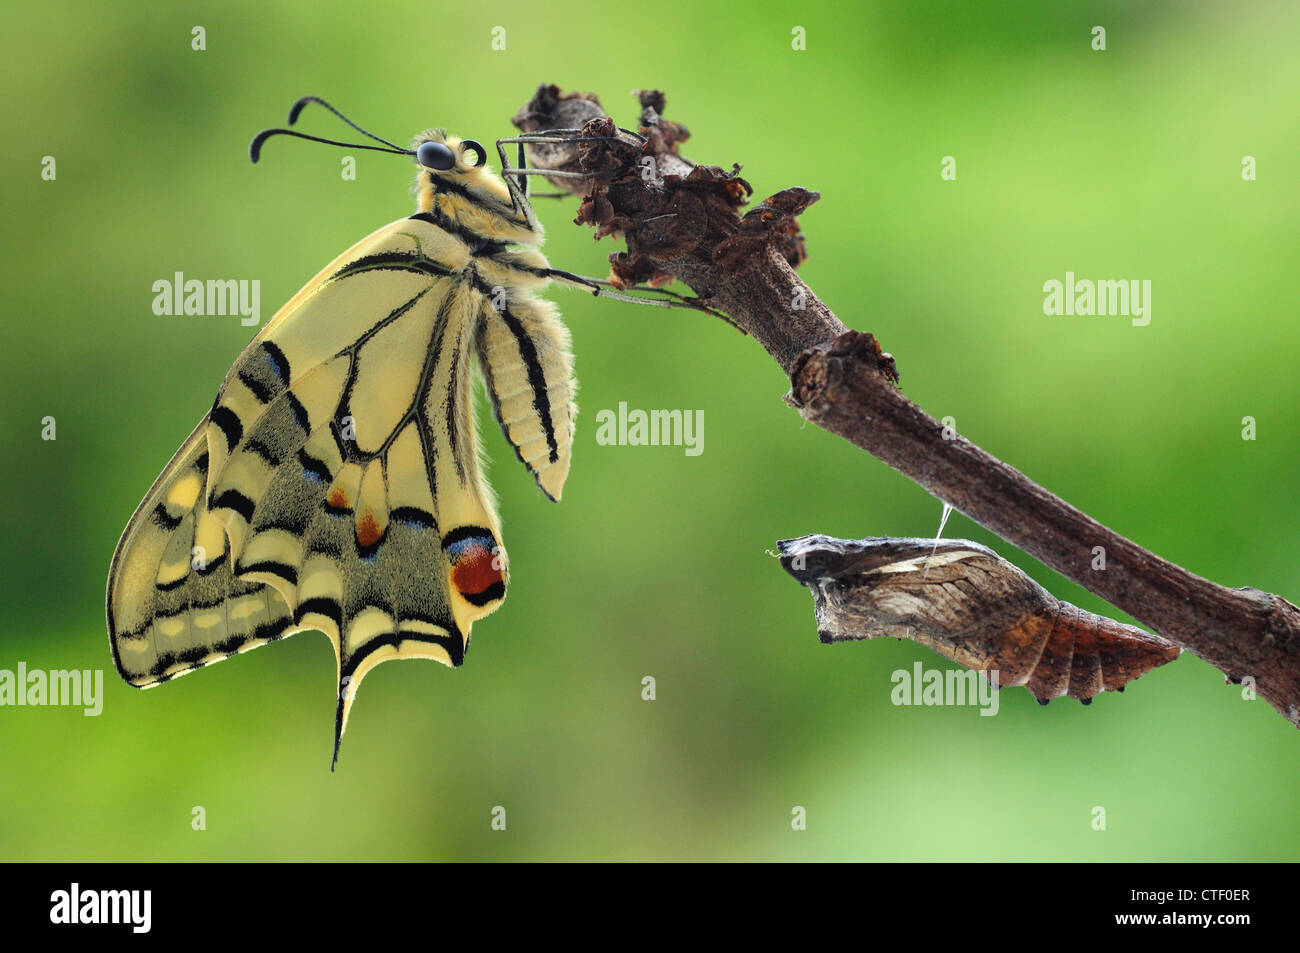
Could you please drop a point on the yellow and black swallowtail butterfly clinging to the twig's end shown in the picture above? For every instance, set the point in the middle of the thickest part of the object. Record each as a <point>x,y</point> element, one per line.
<point>336,483</point>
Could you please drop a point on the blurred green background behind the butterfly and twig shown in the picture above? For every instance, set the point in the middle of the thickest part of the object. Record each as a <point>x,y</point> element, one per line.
<point>1119,164</point>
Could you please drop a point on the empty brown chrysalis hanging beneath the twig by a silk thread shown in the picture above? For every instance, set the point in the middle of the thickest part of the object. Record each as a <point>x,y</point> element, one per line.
<point>969,605</point>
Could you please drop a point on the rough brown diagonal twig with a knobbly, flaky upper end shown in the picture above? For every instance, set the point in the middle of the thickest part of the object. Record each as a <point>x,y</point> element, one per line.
<point>681,222</point>
